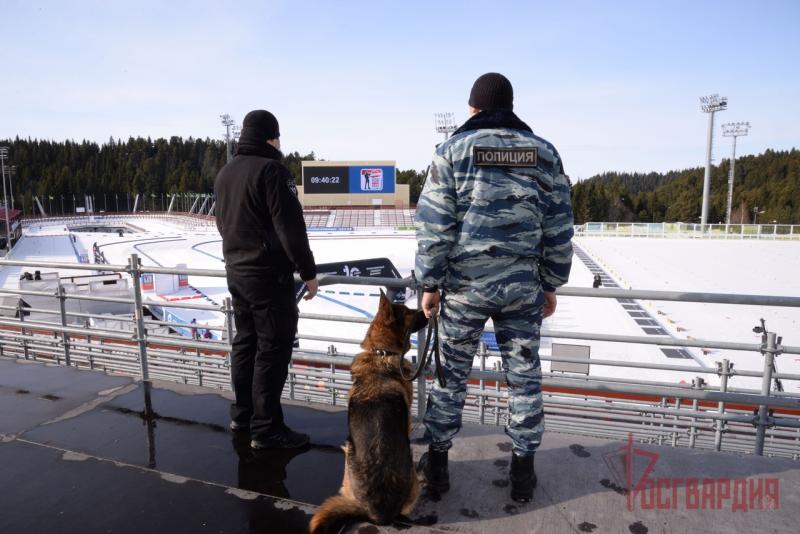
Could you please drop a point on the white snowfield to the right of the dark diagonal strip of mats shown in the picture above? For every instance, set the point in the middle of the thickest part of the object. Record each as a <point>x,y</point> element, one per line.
<point>712,266</point>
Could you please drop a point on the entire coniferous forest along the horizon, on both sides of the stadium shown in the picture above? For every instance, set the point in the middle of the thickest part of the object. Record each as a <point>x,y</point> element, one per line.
<point>766,185</point>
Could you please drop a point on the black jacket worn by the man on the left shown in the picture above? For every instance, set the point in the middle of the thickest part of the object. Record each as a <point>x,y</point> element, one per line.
<point>260,218</point>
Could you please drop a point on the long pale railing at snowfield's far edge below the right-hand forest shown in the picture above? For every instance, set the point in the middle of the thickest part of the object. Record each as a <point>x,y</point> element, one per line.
<point>688,230</point>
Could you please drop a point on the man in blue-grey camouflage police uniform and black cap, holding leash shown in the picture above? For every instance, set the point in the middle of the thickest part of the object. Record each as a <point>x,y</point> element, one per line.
<point>494,230</point>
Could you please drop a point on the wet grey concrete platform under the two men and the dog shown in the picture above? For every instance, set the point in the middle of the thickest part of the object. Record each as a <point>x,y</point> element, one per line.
<point>78,454</point>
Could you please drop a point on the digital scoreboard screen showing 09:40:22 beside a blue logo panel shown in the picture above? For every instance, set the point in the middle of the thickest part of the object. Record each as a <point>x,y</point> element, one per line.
<point>339,179</point>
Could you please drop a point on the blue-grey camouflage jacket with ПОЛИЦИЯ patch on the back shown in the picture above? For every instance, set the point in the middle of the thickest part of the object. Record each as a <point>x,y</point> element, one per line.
<point>476,220</point>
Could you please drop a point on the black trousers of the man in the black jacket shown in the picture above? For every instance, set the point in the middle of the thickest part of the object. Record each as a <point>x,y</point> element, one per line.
<point>265,315</point>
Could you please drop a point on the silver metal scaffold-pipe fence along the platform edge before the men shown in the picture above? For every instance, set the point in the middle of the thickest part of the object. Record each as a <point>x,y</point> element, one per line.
<point>720,417</point>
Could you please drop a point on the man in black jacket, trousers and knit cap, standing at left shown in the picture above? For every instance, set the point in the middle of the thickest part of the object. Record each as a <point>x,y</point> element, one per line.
<point>264,241</point>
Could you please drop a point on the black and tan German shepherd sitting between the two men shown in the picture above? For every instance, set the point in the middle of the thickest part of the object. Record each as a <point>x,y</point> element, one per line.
<point>380,482</point>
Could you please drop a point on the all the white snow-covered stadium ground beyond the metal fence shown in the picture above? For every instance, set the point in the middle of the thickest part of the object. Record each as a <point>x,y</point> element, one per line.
<point>731,266</point>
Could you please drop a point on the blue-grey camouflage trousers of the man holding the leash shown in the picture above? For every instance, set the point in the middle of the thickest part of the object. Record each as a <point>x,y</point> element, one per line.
<point>516,310</point>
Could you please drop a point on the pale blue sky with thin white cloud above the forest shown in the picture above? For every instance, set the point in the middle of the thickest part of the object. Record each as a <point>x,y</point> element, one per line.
<point>614,85</point>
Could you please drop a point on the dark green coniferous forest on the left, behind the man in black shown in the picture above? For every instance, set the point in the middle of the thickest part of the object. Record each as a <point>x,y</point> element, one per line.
<point>116,171</point>
